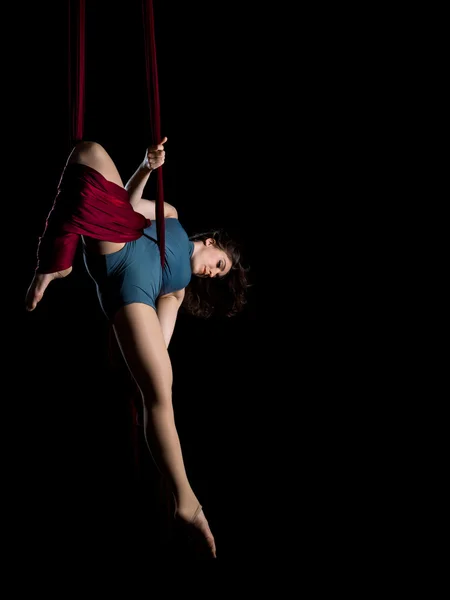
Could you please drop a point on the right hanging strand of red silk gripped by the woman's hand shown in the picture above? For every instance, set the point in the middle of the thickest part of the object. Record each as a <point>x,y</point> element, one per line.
<point>155,112</point>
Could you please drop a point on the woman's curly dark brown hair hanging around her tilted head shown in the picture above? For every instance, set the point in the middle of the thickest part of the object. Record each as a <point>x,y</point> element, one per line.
<point>225,296</point>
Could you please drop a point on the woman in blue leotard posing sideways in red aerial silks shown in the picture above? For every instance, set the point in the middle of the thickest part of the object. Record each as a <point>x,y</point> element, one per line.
<point>139,297</point>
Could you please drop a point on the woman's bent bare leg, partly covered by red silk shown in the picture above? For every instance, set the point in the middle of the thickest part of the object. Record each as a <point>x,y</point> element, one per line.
<point>95,156</point>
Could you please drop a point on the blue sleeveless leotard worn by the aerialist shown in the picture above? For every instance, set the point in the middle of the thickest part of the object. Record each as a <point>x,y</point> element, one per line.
<point>134,274</point>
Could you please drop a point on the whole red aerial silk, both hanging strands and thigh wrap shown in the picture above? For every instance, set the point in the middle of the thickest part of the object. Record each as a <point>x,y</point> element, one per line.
<point>86,203</point>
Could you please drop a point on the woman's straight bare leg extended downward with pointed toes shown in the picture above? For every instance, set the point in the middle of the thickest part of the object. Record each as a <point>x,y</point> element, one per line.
<point>144,349</point>
